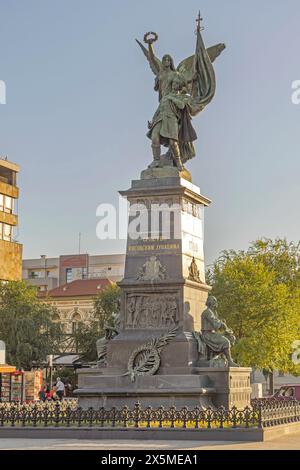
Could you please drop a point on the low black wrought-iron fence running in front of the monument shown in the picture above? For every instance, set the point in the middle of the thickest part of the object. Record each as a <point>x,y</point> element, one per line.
<point>69,415</point>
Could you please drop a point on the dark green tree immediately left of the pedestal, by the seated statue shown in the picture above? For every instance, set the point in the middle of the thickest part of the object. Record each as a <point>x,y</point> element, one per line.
<point>106,306</point>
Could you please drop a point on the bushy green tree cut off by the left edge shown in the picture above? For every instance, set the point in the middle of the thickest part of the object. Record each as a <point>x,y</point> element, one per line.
<point>26,325</point>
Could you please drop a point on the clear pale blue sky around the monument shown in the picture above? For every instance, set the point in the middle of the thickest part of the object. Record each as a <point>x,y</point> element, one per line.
<point>79,94</point>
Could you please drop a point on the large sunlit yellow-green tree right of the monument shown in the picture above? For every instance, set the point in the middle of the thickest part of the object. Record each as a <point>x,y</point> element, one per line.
<point>259,297</point>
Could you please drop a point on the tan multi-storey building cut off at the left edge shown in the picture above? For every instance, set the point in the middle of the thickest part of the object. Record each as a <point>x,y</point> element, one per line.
<point>10,250</point>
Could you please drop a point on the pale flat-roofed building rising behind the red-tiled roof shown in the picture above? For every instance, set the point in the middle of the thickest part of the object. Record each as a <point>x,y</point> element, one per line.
<point>49,273</point>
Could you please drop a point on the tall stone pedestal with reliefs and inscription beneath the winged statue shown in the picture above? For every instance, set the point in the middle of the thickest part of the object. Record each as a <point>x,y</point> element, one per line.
<point>154,359</point>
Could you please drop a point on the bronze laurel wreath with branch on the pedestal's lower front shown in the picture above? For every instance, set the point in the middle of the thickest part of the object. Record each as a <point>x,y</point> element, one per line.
<point>145,360</point>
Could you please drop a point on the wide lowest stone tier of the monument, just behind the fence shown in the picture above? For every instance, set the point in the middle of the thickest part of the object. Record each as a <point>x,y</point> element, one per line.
<point>203,387</point>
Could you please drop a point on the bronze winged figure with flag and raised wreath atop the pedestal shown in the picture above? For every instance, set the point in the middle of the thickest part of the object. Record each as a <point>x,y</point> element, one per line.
<point>183,93</point>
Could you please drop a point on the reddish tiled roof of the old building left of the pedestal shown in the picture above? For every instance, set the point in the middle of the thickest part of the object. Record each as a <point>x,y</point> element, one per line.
<point>85,287</point>
